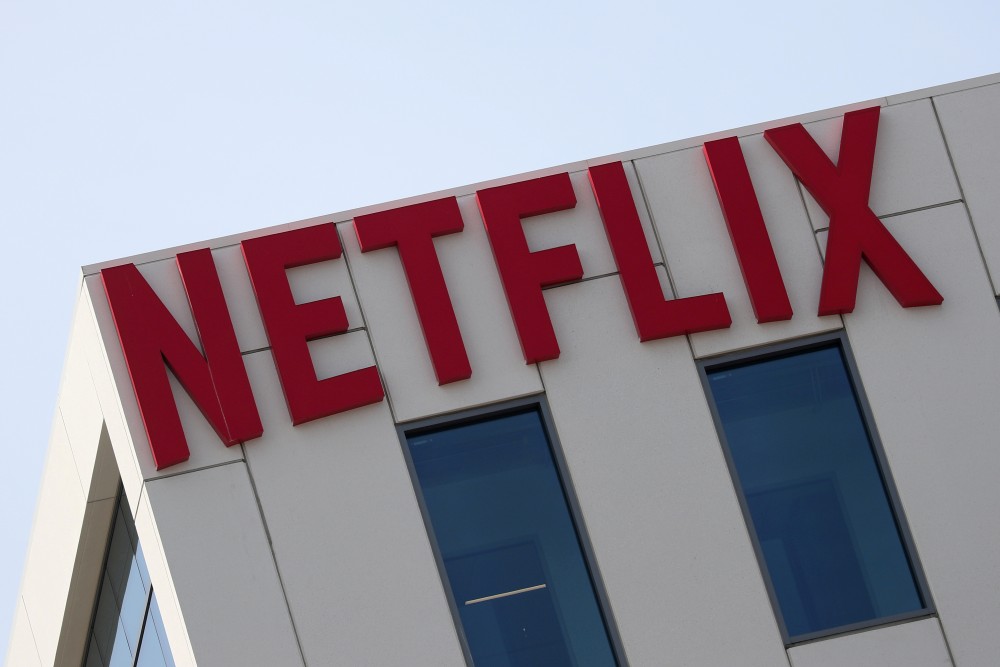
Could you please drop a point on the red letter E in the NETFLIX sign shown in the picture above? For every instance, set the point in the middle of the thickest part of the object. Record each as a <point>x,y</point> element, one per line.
<point>289,325</point>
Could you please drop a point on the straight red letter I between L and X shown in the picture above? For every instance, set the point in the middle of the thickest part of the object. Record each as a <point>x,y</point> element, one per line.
<point>747,231</point>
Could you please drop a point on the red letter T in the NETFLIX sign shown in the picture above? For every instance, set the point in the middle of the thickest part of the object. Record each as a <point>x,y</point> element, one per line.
<point>412,229</point>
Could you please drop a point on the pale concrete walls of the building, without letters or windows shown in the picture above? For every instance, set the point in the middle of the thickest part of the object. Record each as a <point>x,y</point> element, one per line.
<point>307,545</point>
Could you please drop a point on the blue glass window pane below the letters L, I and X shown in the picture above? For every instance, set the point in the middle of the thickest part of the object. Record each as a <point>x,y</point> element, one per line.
<point>827,534</point>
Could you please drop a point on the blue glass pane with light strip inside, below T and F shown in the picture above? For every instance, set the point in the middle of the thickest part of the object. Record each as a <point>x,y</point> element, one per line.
<point>509,547</point>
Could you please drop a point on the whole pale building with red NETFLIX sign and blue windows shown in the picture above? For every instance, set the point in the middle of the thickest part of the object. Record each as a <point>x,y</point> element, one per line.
<point>626,411</point>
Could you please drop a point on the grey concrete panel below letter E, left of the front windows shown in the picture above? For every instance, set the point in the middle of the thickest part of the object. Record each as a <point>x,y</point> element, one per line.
<point>348,539</point>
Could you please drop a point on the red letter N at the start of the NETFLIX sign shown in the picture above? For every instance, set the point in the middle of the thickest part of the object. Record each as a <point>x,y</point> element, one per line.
<point>152,339</point>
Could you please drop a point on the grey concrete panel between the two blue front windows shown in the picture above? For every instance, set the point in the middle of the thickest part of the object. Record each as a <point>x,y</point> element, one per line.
<point>654,488</point>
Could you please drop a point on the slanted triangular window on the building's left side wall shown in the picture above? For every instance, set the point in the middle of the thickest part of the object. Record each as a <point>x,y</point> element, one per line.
<point>126,629</point>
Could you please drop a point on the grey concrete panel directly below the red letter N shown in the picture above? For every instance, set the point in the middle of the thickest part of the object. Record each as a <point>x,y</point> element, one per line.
<point>220,562</point>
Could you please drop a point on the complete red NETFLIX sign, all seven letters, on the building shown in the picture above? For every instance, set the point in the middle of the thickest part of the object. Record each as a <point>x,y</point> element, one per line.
<point>217,381</point>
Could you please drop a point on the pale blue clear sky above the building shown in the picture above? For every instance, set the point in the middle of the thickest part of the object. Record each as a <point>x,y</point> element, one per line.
<point>132,126</point>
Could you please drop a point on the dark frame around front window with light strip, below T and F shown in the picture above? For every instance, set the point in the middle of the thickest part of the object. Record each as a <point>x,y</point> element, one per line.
<point>535,403</point>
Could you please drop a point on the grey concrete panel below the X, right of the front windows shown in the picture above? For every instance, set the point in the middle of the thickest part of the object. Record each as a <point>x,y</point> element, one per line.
<point>932,376</point>
